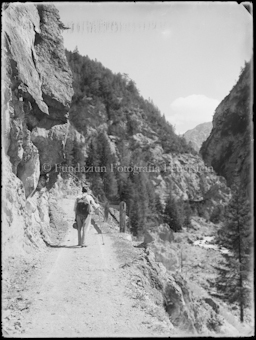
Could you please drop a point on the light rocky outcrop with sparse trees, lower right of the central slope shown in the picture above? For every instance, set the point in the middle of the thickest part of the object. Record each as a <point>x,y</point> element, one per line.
<point>185,175</point>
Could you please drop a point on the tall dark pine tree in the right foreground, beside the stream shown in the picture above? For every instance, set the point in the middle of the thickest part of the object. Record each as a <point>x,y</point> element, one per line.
<point>236,237</point>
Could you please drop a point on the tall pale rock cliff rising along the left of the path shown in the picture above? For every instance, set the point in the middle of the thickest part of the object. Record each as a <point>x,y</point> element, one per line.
<point>37,94</point>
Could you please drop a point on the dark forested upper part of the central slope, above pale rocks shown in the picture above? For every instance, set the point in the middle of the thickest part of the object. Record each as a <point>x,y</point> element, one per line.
<point>100,95</point>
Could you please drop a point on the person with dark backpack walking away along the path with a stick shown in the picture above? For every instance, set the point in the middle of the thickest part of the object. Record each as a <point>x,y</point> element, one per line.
<point>83,214</point>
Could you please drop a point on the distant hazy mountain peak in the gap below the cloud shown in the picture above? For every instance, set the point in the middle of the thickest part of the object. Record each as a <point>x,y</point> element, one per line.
<point>198,135</point>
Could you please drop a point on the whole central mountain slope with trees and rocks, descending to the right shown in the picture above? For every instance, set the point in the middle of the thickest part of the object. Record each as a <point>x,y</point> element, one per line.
<point>127,132</point>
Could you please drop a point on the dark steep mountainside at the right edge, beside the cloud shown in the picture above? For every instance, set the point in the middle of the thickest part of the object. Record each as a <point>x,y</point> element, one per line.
<point>228,148</point>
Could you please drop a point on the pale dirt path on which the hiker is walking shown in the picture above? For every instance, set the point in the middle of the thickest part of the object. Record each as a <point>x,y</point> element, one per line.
<point>80,292</point>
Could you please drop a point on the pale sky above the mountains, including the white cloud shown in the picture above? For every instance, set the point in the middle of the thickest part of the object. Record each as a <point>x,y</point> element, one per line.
<point>185,56</point>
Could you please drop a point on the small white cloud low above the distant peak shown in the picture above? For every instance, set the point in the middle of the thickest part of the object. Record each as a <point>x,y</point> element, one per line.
<point>190,111</point>
